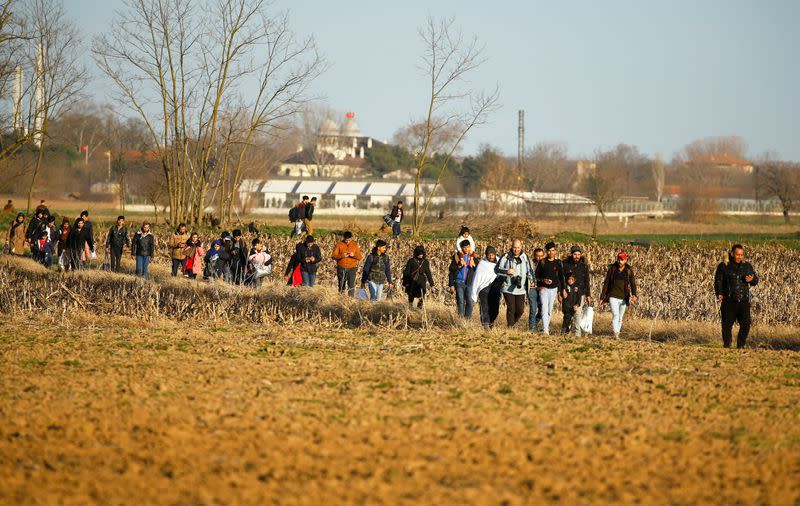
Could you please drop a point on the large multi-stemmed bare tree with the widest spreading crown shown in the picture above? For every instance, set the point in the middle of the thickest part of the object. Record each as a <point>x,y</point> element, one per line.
<point>182,66</point>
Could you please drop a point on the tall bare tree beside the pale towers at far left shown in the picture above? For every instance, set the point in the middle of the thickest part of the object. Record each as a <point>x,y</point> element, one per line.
<point>54,52</point>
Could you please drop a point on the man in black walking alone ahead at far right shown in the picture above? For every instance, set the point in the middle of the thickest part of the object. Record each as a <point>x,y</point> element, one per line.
<point>732,283</point>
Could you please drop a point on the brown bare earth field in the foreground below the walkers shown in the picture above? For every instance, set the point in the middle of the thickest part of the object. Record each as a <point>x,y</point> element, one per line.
<point>117,410</point>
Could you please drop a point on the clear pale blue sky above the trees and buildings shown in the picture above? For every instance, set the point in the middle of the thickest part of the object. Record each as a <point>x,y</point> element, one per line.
<point>590,74</point>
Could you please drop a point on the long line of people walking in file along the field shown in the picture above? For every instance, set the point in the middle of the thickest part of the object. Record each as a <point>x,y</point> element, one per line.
<point>534,282</point>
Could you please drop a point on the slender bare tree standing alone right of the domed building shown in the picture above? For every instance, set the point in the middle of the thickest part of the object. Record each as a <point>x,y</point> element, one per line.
<point>447,60</point>
